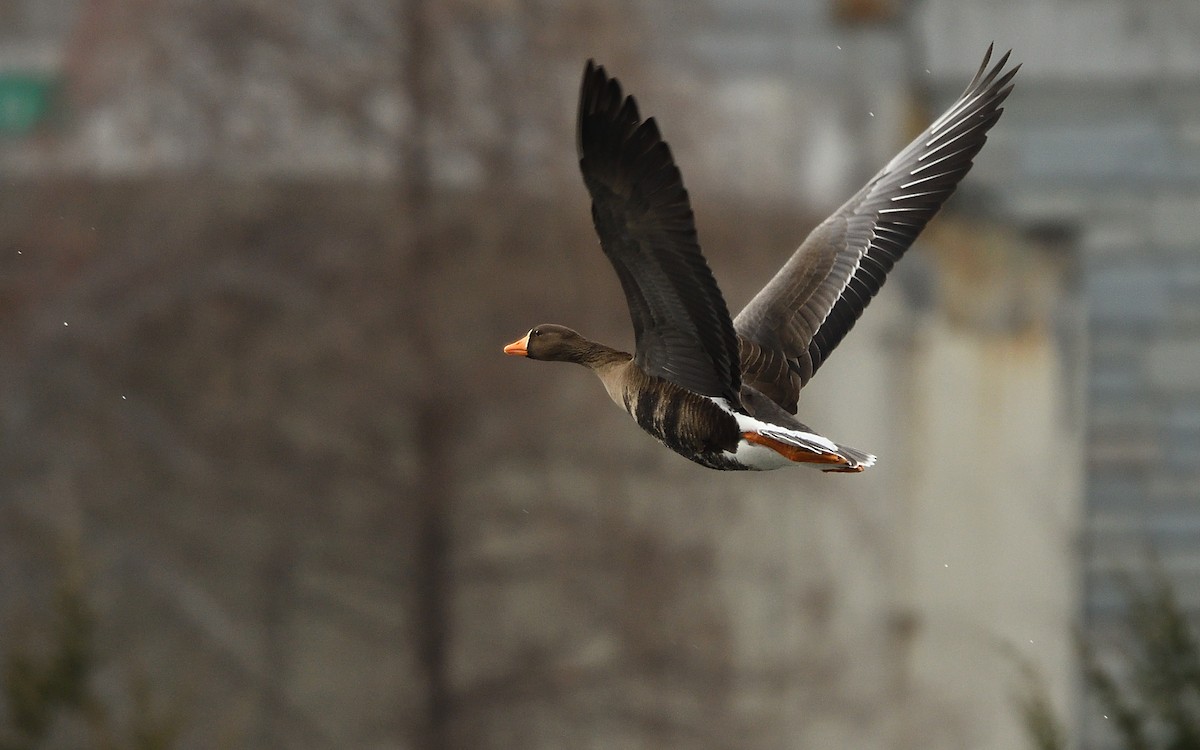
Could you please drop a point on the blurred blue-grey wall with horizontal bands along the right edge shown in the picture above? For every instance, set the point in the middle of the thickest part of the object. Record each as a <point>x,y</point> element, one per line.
<point>1101,145</point>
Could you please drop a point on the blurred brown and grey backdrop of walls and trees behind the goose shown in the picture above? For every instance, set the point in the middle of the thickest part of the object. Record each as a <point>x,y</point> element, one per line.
<point>268,482</point>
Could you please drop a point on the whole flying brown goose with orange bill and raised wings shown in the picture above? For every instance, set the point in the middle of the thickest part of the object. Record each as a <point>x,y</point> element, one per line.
<point>724,392</point>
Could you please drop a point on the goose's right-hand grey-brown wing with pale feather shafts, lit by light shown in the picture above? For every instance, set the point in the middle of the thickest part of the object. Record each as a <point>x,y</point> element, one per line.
<point>793,326</point>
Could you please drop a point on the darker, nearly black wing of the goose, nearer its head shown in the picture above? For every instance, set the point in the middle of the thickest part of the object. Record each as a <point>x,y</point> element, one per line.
<point>681,323</point>
